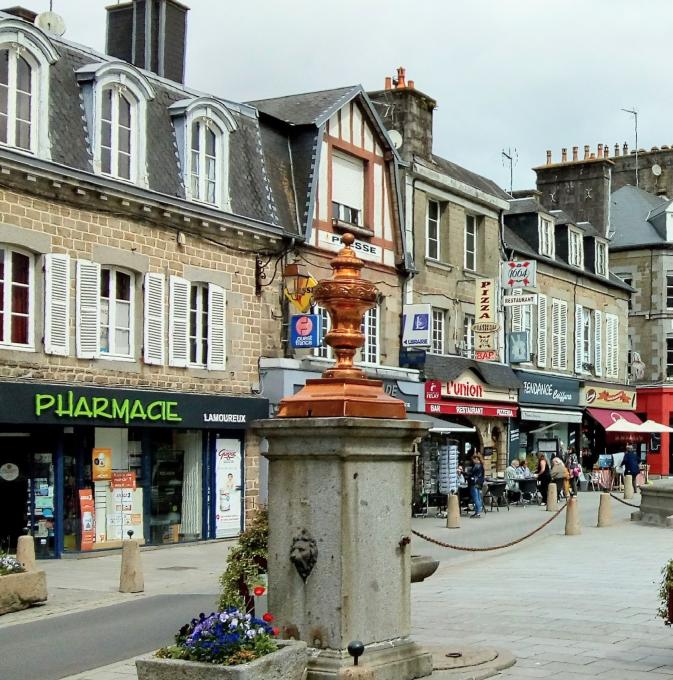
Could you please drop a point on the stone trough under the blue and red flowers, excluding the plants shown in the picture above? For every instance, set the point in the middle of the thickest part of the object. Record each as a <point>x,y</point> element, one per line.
<point>287,663</point>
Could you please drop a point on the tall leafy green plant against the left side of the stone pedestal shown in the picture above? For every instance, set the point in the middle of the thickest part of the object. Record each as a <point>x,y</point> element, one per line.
<point>246,565</point>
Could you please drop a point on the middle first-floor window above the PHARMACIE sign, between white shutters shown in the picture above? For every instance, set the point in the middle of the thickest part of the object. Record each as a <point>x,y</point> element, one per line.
<point>116,312</point>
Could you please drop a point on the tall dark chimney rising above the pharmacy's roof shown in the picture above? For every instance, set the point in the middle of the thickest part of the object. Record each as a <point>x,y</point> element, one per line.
<point>150,34</point>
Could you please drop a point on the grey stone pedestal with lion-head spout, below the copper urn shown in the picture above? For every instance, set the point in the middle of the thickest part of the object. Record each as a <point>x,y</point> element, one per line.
<point>339,531</point>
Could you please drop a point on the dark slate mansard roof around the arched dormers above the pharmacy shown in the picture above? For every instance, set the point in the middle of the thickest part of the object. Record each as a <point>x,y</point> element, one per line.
<point>250,188</point>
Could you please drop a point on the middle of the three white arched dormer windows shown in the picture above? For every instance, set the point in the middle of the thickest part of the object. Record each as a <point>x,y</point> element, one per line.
<point>116,96</point>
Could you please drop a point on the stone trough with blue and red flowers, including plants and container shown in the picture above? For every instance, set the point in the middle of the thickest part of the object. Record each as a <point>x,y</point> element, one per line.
<point>223,646</point>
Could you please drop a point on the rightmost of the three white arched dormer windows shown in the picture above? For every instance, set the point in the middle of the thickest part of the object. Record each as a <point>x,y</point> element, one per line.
<point>202,129</point>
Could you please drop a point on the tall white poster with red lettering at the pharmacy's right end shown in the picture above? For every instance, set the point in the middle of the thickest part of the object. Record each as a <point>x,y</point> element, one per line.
<point>227,488</point>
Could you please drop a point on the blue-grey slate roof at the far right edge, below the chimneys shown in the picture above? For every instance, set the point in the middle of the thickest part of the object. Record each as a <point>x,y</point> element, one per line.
<point>631,210</point>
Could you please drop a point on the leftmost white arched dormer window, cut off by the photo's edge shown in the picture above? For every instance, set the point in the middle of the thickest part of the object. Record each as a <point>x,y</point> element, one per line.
<point>25,56</point>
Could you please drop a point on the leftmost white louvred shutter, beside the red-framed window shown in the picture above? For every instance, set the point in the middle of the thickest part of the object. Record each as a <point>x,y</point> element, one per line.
<point>57,304</point>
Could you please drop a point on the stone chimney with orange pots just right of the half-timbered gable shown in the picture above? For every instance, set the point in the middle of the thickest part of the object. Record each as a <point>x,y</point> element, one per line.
<point>407,110</point>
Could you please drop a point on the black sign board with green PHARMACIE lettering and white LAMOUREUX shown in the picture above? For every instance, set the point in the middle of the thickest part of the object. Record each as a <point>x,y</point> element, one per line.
<point>31,404</point>
